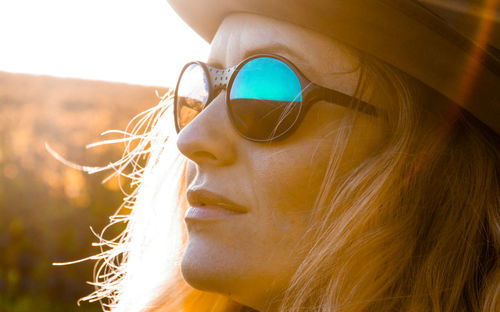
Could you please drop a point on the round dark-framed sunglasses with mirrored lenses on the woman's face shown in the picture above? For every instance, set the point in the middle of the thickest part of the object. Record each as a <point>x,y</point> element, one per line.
<point>267,96</point>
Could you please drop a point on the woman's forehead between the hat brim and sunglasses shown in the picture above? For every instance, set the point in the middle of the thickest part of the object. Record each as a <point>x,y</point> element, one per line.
<point>322,59</point>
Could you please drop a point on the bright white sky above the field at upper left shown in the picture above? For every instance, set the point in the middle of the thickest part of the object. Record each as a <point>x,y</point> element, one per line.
<point>132,41</point>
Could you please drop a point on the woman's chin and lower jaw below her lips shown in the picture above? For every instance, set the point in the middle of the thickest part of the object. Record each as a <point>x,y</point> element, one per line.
<point>232,272</point>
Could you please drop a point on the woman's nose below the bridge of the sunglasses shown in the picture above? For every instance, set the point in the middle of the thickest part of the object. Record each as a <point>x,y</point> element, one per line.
<point>209,139</point>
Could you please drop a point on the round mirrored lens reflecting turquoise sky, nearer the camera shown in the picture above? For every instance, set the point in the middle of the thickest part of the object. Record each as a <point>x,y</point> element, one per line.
<point>265,99</point>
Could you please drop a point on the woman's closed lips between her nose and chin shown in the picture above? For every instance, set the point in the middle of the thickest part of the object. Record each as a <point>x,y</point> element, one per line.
<point>207,205</point>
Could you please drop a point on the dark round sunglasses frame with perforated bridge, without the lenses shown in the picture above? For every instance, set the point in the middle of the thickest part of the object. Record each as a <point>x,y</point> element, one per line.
<point>220,79</point>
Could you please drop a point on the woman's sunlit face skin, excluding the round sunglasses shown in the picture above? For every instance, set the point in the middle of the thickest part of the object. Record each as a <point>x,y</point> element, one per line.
<point>251,255</point>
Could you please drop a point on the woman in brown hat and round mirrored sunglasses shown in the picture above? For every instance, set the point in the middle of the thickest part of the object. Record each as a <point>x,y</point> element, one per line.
<point>326,166</point>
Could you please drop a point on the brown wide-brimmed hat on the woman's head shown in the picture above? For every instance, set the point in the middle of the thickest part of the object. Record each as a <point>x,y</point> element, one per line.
<point>452,46</point>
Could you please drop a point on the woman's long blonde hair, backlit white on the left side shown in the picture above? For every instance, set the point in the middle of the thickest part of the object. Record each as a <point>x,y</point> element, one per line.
<point>414,227</point>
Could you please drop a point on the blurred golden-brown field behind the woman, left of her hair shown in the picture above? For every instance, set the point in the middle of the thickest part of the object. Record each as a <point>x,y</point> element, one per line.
<point>46,208</point>
